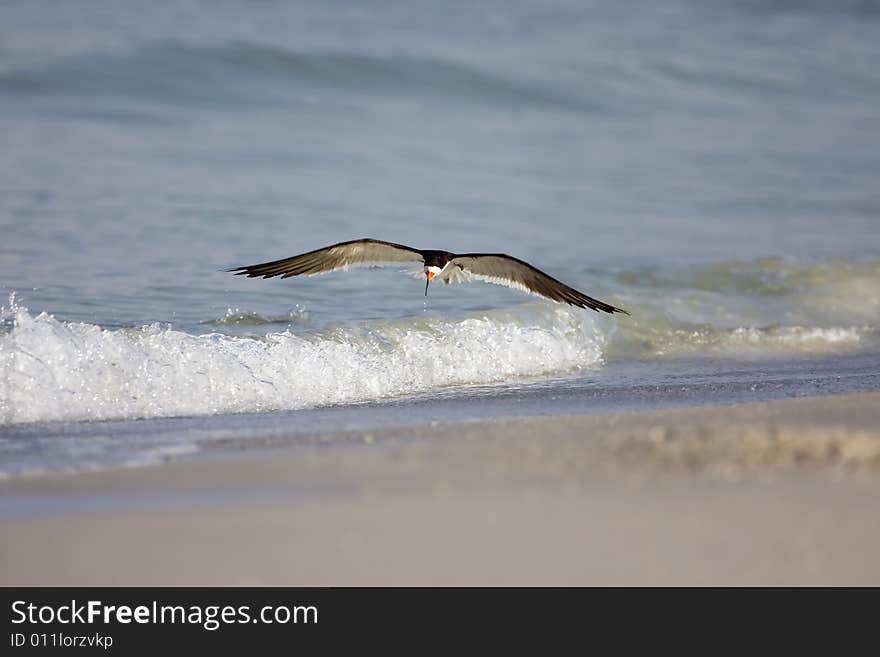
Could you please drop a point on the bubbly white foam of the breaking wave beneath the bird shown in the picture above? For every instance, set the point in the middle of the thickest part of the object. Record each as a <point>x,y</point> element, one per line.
<point>56,370</point>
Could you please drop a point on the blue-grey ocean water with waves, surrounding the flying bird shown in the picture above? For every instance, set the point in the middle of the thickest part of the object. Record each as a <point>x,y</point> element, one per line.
<point>712,167</point>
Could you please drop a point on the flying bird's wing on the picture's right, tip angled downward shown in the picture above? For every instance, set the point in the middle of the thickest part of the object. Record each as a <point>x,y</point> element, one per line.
<point>506,270</point>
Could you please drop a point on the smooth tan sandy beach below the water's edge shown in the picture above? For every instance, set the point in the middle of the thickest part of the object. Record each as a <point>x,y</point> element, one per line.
<point>783,492</point>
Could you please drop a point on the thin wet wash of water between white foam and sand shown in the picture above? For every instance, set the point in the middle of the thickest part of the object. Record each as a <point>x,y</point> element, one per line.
<point>67,446</point>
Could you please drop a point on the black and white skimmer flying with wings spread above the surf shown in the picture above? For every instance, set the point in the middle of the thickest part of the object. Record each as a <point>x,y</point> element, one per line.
<point>495,268</point>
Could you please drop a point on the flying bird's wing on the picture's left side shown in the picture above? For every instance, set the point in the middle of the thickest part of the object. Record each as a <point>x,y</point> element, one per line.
<point>336,256</point>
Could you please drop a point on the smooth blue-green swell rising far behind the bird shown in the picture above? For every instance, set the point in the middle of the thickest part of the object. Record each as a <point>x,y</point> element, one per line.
<point>248,74</point>
